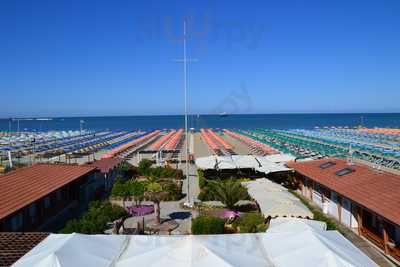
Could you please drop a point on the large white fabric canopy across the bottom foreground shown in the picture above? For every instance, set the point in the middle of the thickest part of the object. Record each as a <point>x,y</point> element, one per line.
<point>304,248</point>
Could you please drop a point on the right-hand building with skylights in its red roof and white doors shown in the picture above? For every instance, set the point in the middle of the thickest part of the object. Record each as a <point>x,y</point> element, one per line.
<point>365,199</point>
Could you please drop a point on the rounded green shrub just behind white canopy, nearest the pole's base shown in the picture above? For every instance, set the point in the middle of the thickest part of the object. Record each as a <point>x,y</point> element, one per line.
<point>207,225</point>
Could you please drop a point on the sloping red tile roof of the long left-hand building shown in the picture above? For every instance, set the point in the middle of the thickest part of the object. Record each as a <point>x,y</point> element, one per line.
<point>21,187</point>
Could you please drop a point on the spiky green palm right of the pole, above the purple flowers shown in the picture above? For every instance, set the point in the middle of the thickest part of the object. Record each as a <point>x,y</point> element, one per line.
<point>229,192</point>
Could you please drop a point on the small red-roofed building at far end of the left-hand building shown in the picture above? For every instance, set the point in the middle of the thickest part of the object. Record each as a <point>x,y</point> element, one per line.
<point>107,172</point>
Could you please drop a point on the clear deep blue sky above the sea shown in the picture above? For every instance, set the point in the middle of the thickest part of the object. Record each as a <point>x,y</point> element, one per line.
<point>81,57</point>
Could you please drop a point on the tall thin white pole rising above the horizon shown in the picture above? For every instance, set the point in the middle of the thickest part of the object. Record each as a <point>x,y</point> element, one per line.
<point>186,116</point>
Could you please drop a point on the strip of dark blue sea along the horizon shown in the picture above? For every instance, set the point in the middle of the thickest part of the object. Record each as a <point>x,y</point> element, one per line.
<point>233,121</point>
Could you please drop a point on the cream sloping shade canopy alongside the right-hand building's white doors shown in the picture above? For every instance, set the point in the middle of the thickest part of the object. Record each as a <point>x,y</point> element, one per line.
<point>275,201</point>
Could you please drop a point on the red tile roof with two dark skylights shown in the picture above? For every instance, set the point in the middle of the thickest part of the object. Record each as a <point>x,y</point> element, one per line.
<point>376,190</point>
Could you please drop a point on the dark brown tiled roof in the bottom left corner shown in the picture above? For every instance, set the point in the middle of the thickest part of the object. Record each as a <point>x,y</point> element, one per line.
<point>15,245</point>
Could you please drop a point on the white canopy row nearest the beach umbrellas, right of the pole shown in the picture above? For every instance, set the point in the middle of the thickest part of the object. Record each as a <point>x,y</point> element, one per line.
<point>261,164</point>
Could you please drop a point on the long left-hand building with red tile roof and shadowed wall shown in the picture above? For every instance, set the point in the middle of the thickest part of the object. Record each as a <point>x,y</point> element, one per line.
<point>44,196</point>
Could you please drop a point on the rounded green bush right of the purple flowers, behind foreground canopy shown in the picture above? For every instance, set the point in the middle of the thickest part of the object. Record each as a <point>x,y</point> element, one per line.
<point>250,223</point>
